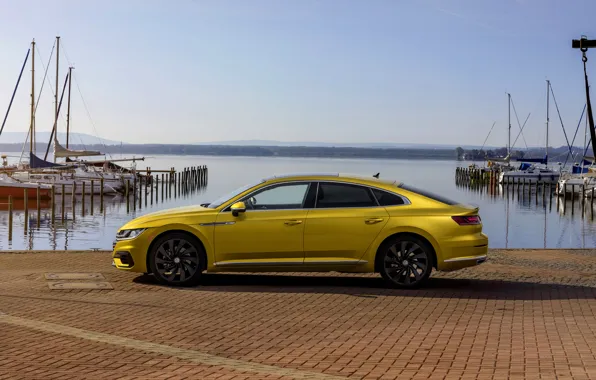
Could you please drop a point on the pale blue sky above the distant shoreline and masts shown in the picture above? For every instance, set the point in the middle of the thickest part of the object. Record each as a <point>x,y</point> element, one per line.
<point>403,71</point>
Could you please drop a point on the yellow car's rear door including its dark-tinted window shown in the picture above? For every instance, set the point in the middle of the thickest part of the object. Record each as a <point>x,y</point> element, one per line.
<point>345,222</point>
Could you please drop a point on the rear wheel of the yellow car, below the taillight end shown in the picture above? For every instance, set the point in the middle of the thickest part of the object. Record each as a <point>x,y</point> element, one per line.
<point>405,261</point>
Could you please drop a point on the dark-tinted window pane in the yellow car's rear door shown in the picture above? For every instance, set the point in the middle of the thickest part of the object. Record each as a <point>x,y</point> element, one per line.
<point>335,195</point>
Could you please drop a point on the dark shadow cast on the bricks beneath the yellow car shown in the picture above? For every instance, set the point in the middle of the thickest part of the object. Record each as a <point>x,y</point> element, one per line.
<point>372,287</point>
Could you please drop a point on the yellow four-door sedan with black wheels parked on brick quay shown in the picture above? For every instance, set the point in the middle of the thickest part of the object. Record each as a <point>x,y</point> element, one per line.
<point>308,223</point>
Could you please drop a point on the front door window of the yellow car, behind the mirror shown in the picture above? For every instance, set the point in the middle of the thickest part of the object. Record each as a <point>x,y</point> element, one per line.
<point>282,197</point>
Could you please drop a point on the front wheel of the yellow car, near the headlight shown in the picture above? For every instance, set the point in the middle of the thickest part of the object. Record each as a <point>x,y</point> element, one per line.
<point>177,259</point>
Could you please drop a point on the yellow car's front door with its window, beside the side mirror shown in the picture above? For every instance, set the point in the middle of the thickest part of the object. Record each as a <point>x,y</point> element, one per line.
<point>270,232</point>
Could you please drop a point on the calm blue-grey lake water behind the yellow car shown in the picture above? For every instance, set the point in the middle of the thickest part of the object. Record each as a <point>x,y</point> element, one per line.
<point>509,221</point>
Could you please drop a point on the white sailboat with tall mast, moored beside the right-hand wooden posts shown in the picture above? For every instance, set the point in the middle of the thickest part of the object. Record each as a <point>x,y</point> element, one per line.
<point>528,170</point>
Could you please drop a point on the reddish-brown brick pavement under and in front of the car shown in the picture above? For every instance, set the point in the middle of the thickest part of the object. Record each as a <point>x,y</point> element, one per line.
<point>524,314</point>
